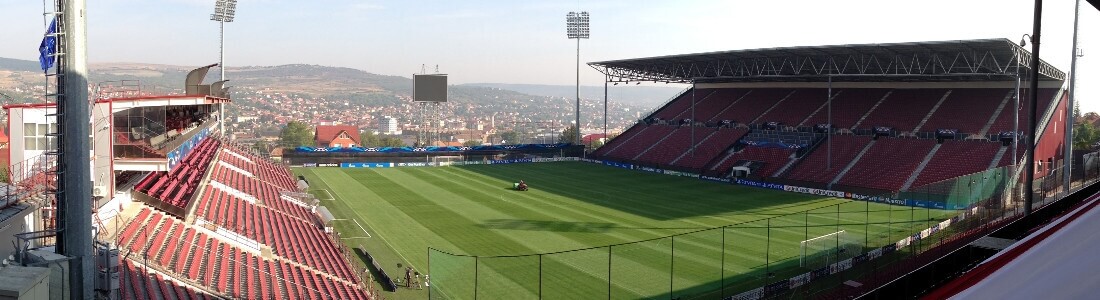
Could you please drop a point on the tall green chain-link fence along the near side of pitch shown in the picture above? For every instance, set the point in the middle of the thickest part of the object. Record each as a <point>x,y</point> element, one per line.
<point>812,253</point>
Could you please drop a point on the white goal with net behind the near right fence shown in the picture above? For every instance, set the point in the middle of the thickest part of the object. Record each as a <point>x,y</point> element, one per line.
<point>826,250</point>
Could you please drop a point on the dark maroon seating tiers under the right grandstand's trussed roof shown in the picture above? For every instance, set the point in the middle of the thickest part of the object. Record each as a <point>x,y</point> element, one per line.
<point>761,119</point>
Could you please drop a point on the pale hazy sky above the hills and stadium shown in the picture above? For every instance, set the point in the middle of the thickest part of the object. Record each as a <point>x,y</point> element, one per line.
<point>524,42</point>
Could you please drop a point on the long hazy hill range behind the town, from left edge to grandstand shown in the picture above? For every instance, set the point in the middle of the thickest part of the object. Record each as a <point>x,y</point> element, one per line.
<point>340,85</point>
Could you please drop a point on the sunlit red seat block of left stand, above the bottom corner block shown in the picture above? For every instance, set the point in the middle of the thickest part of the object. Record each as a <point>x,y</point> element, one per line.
<point>224,268</point>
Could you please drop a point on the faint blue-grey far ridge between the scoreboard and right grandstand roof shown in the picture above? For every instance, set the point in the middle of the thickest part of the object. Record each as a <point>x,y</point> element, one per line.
<point>648,97</point>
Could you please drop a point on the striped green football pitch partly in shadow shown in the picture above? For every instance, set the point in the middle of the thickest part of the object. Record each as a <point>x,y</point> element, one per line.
<point>669,237</point>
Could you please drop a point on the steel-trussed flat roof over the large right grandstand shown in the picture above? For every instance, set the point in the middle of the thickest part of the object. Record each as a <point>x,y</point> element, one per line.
<point>995,60</point>
